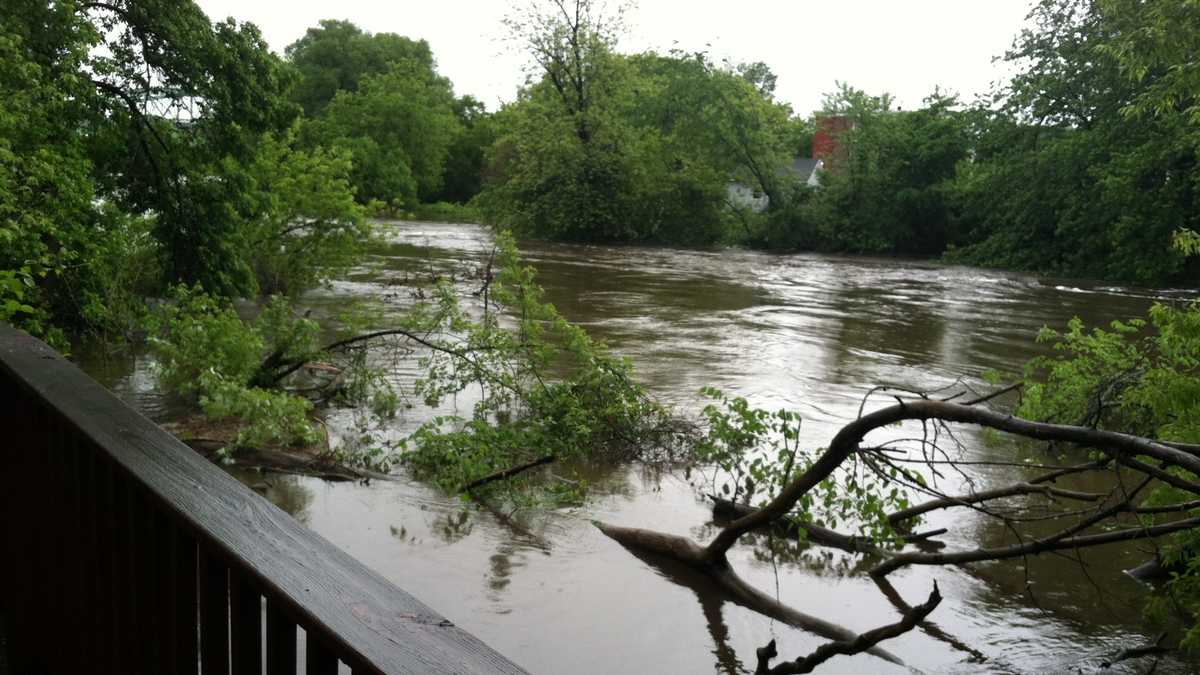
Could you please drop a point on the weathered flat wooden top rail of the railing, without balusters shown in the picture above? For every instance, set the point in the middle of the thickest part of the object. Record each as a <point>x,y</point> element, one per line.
<point>369,622</point>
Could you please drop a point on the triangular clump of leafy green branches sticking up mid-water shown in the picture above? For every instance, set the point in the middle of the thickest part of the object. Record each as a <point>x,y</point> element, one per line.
<point>545,389</point>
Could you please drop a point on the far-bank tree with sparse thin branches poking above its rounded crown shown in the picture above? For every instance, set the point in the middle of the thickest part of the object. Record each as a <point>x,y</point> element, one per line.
<point>605,147</point>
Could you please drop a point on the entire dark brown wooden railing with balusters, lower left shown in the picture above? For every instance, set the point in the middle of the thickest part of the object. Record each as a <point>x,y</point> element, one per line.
<point>122,551</point>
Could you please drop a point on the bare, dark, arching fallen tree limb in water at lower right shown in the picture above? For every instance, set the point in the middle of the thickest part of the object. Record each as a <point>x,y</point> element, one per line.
<point>1101,518</point>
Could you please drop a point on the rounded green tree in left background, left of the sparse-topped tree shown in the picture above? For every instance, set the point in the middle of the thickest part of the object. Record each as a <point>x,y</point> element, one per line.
<point>380,98</point>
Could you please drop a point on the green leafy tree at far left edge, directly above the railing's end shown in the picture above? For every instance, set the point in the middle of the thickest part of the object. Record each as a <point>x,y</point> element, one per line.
<point>46,186</point>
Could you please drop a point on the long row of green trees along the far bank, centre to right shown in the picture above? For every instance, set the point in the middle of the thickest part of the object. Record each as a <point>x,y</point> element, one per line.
<point>1084,164</point>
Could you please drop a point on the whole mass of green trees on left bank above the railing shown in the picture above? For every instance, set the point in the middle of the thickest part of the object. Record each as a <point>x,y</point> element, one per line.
<point>145,146</point>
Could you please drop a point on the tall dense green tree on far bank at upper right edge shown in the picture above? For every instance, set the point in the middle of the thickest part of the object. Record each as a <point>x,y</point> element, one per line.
<point>1079,169</point>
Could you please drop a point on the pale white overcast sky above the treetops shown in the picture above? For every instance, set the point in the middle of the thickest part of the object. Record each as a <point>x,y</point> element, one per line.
<point>902,47</point>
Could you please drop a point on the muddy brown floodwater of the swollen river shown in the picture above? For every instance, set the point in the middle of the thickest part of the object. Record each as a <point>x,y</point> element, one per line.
<point>806,332</point>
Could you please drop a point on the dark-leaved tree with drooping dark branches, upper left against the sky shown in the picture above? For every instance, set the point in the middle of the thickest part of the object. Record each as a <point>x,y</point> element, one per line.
<point>183,105</point>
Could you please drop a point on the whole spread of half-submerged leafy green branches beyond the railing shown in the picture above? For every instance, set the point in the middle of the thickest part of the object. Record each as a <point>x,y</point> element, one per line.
<point>545,389</point>
